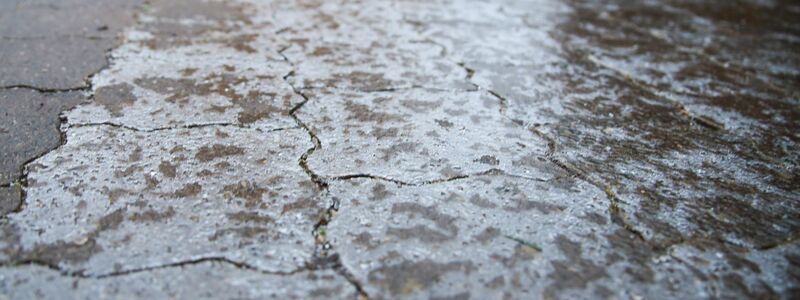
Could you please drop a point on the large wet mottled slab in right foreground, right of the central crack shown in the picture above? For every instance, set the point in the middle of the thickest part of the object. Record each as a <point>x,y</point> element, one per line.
<point>499,236</point>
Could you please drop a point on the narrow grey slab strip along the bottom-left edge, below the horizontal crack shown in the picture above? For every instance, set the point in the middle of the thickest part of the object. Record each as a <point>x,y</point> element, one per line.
<point>205,280</point>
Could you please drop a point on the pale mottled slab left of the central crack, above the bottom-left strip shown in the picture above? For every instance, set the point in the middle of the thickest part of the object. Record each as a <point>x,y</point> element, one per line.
<point>113,199</point>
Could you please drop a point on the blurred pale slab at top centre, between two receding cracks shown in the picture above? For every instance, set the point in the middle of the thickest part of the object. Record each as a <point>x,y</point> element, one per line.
<point>360,46</point>
